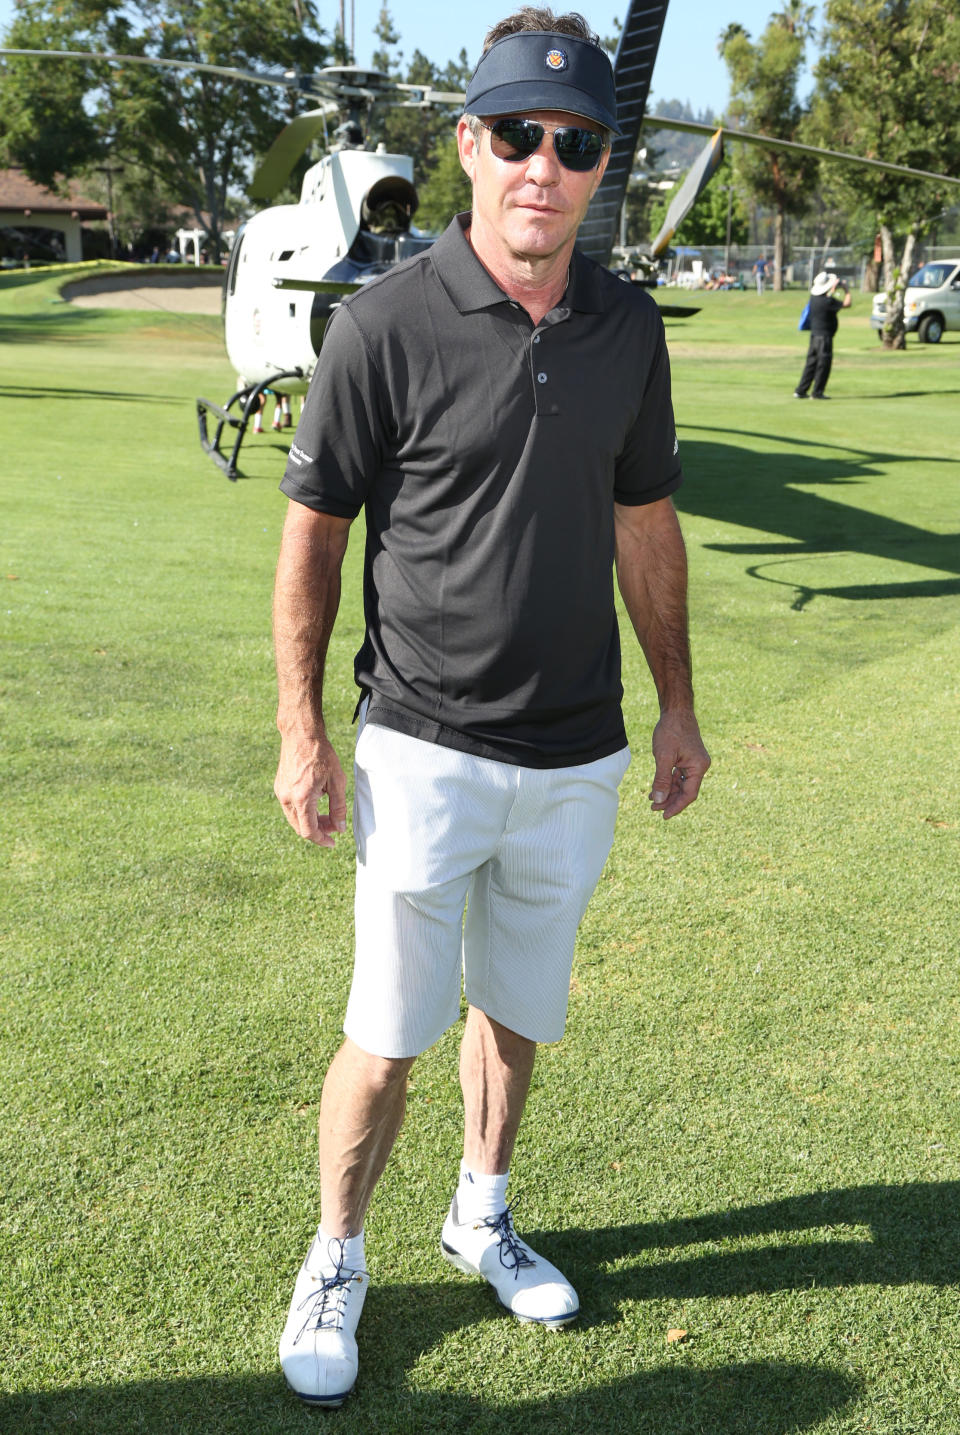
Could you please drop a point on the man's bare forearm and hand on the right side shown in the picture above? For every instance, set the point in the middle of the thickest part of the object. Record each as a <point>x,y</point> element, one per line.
<point>652,573</point>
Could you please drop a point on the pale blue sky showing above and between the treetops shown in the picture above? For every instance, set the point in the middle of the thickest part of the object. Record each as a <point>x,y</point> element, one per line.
<point>688,64</point>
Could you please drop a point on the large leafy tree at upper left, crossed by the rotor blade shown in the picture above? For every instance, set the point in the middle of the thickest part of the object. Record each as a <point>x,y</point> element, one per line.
<point>193,133</point>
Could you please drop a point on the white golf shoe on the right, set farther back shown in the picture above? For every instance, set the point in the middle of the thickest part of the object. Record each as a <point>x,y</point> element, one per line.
<point>524,1282</point>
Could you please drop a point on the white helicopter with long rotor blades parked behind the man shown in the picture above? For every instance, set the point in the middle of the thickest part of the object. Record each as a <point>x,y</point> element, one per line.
<point>292,265</point>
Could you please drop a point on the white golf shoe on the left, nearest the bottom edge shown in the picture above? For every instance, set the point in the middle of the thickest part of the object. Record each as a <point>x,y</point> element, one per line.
<point>318,1348</point>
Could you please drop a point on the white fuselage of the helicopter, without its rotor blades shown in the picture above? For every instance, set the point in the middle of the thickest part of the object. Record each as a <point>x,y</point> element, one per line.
<point>292,263</point>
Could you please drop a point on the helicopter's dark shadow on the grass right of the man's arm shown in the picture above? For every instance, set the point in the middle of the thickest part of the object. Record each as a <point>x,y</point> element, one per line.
<point>766,491</point>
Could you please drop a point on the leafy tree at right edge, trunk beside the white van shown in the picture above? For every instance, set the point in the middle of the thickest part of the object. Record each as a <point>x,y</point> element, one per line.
<point>889,87</point>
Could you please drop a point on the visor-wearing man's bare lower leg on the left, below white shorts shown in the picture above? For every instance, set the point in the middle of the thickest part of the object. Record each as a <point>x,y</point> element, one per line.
<point>361,1114</point>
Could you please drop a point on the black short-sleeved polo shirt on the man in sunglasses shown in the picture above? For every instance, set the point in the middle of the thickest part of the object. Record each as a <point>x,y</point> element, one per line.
<point>489,456</point>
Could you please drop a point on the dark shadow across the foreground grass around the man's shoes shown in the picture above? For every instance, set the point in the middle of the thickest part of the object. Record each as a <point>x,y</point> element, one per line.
<point>866,1236</point>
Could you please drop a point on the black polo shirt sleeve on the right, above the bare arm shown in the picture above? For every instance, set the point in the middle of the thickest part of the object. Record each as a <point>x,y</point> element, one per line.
<point>648,467</point>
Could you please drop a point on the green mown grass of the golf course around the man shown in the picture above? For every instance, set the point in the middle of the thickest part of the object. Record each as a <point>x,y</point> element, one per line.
<point>751,1130</point>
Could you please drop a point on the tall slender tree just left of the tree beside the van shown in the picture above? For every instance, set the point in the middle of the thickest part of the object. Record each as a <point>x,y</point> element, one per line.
<point>764,83</point>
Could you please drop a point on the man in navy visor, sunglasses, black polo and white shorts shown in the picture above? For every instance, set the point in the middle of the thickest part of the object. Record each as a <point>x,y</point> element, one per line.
<point>502,408</point>
